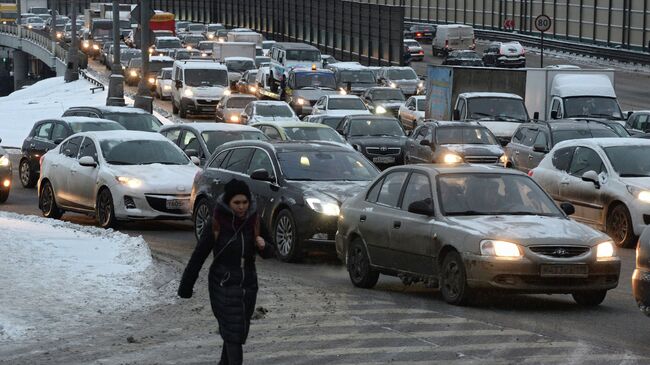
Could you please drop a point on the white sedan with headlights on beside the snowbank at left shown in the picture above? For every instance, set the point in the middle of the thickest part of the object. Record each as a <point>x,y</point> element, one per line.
<point>117,176</point>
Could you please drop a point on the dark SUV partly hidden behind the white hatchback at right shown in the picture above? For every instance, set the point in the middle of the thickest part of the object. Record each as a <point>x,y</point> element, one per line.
<point>532,141</point>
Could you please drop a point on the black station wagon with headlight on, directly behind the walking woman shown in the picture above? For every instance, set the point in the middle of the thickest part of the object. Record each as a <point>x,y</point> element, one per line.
<point>298,187</point>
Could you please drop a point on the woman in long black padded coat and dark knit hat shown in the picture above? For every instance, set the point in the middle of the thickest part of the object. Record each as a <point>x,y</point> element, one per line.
<point>232,280</point>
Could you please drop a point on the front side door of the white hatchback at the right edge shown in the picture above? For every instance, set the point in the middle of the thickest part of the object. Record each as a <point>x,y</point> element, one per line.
<point>587,198</point>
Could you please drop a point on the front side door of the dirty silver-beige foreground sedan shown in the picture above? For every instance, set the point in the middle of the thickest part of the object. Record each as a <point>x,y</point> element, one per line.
<point>413,246</point>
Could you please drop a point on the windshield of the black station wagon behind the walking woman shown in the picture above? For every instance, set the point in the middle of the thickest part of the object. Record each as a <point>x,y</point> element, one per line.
<point>326,166</point>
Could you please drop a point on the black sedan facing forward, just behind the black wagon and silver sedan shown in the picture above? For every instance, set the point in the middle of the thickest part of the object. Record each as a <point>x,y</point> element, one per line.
<point>381,139</point>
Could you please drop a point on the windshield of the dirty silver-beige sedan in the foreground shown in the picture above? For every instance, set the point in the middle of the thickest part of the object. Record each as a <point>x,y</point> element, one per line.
<point>465,194</point>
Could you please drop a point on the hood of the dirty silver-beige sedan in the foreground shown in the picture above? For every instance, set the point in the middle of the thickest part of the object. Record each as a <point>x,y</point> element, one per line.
<point>528,230</point>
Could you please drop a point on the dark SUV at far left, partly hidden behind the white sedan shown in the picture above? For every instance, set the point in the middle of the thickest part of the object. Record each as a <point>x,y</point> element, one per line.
<point>47,134</point>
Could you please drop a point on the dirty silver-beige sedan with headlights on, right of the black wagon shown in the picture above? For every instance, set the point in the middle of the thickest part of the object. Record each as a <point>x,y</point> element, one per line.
<point>472,228</point>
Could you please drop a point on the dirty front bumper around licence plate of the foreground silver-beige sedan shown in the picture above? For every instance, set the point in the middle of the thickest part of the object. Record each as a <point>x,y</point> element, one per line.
<point>524,275</point>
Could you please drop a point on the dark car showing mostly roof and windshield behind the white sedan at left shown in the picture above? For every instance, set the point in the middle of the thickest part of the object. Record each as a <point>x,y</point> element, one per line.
<point>134,119</point>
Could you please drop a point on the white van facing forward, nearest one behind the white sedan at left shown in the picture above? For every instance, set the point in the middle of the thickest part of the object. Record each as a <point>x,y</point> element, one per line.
<point>197,86</point>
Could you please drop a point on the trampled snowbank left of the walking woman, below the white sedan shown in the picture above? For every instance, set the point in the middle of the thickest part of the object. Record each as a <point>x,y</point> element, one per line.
<point>56,276</point>
